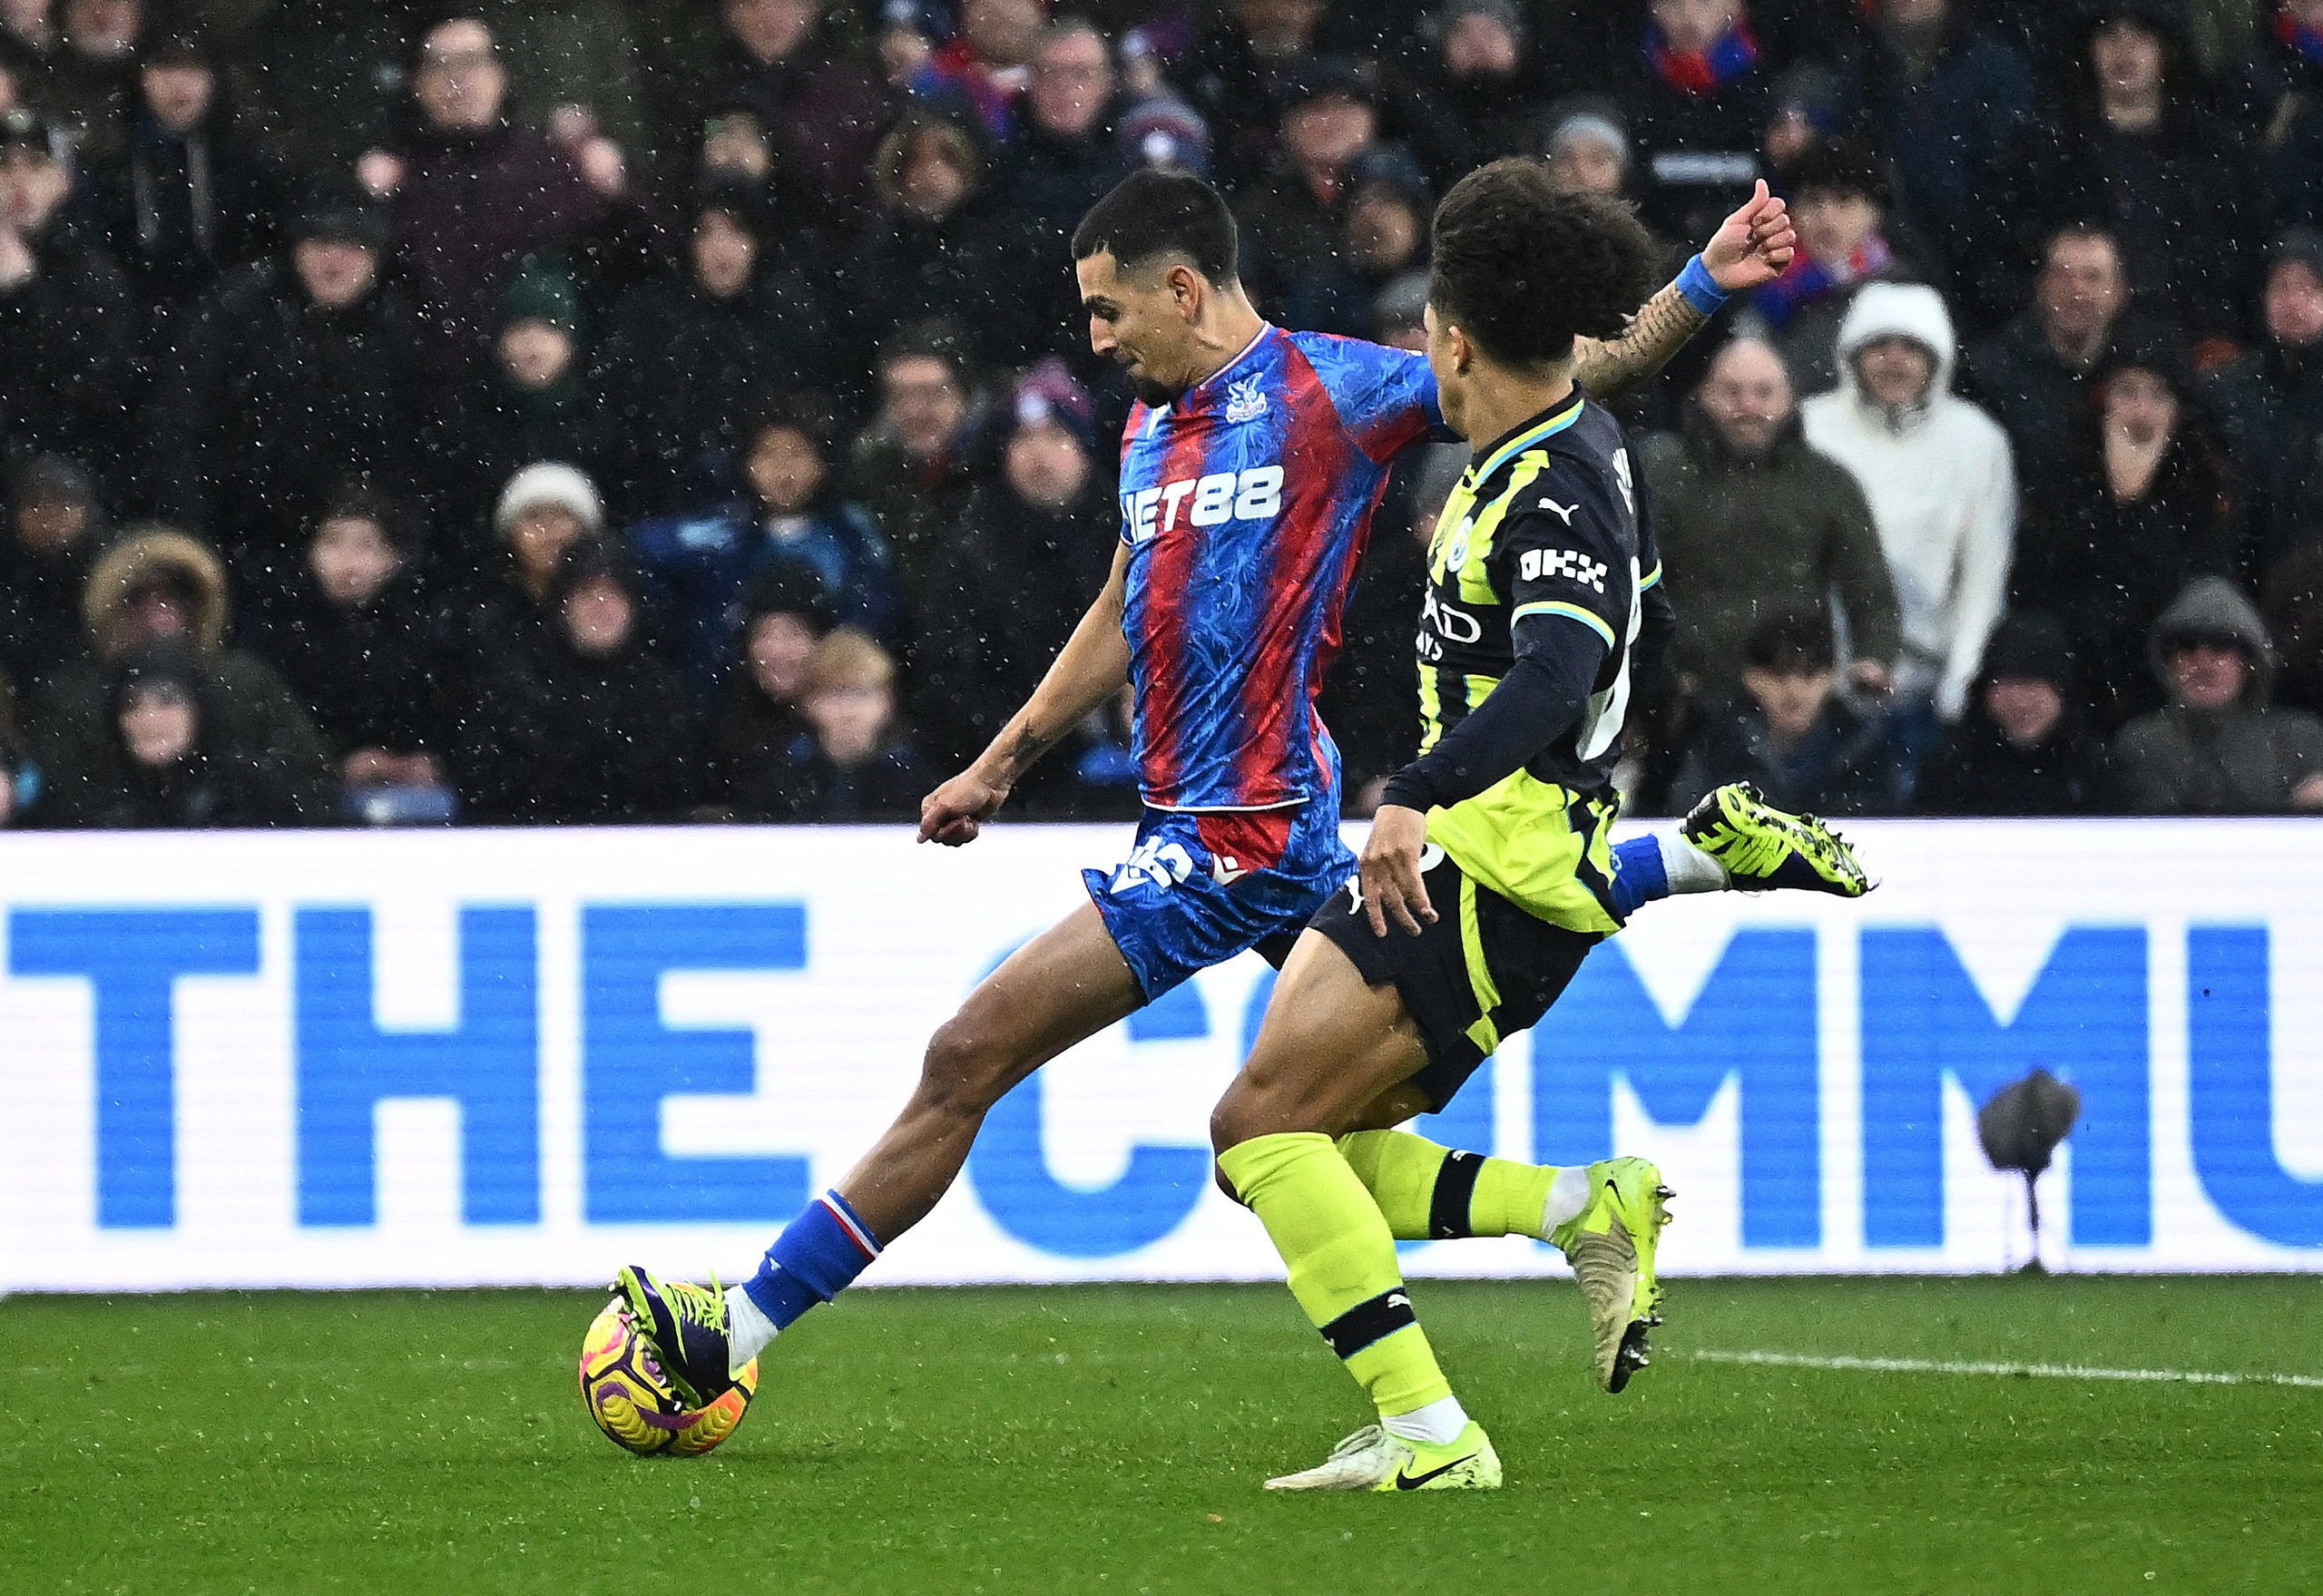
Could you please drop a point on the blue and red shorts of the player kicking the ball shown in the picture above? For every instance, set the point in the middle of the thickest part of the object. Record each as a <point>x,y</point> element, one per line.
<point>1198,889</point>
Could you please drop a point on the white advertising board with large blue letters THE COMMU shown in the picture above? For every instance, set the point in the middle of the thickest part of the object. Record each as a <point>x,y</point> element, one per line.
<point>480,1058</point>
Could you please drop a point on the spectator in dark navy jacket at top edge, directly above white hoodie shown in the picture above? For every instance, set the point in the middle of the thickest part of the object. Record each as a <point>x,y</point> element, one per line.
<point>1946,96</point>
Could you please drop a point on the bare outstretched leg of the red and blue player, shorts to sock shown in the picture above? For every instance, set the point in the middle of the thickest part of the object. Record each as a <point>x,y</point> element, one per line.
<point>1060,988</point>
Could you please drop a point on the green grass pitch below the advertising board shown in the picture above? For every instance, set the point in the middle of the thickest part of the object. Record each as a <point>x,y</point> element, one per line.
<point>1114,1439</point>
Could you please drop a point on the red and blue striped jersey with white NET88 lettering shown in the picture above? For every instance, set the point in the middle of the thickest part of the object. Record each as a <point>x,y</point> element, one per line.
<point>1246,505</point>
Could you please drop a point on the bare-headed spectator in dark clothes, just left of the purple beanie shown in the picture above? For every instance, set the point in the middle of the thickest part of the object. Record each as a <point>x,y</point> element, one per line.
<point>912,463</point>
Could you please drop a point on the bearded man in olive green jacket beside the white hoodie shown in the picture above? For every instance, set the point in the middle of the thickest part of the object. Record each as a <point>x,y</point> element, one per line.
<point>1755,526</point>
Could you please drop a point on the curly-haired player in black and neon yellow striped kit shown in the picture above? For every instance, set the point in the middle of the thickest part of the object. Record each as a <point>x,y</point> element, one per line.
<point>1488,875</point>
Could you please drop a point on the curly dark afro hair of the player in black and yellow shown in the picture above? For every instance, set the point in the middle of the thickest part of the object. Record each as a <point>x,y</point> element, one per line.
<point>1525,271</point>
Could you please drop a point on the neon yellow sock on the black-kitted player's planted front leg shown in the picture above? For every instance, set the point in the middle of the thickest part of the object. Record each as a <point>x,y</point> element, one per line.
<point>1342,1260</point>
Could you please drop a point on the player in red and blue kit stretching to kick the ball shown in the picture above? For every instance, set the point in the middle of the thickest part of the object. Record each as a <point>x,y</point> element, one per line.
<point>1251,470</point>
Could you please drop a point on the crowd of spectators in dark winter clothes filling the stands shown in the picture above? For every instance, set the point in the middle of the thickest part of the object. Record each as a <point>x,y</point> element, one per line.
<point>612,412</point>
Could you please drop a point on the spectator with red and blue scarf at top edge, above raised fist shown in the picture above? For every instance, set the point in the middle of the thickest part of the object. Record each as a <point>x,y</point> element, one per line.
<point>1697,96</point>
